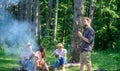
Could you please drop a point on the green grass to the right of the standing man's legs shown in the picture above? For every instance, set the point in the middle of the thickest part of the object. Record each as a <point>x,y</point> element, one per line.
<point>106,60</point>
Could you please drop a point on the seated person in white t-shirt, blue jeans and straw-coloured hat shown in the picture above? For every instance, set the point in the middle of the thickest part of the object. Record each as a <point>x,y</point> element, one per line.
<point>60,53</point>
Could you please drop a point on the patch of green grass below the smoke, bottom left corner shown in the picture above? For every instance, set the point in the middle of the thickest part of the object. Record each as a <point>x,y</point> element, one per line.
<point>7,62</point>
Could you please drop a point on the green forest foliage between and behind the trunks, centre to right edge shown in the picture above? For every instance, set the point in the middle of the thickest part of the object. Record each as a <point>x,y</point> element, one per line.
<point>105,22</point>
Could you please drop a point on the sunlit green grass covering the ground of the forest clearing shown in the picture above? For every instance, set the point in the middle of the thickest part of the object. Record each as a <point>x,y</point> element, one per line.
<point>106,60</point>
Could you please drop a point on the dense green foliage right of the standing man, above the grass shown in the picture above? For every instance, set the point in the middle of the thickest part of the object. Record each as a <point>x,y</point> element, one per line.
<point>106,24</point>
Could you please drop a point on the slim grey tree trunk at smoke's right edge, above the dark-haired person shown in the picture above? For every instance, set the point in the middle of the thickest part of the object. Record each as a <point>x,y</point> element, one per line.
<point>37,20</point>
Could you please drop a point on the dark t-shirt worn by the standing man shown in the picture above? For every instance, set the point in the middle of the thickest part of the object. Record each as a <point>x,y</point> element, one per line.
<point>90,35</point>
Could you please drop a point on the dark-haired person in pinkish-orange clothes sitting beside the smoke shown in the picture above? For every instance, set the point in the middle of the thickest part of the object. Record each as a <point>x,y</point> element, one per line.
<point>40,54</point>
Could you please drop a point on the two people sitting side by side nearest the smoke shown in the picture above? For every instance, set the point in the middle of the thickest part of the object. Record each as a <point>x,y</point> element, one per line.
<point>39,59</point>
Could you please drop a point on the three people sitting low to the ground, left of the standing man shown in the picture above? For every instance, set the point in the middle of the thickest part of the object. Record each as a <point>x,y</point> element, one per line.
<point>60,54</point>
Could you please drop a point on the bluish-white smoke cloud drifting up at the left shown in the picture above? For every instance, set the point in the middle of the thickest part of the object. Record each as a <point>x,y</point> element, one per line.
<point>14,34</point>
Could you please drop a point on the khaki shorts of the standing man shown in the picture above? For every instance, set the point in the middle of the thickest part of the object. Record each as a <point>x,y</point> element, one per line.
<point>85,57</point>
